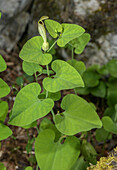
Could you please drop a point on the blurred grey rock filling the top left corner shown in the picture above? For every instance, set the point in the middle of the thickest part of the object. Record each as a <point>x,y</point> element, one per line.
<point>13,23</point>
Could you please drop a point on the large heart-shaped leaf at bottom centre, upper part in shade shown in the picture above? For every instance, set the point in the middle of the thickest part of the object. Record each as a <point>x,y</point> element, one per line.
<point>55,156</point>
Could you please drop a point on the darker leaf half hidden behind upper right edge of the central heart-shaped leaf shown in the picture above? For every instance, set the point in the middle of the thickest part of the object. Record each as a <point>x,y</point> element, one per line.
<point>78,65</point>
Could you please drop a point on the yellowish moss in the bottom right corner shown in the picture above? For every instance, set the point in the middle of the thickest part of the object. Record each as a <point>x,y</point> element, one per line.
<point>106,163</point>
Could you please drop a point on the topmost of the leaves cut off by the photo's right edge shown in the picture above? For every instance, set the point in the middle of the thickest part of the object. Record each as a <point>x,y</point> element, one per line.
<point>112,67</point>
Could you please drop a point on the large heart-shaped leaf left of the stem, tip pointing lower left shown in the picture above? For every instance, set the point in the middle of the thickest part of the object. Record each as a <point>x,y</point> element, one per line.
<point>28,107</point>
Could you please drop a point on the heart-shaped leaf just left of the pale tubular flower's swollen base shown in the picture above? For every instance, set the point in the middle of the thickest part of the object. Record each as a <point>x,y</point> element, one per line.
<point>31,52</point>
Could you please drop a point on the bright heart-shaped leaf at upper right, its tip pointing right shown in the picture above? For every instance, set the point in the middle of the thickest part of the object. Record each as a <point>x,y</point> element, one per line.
<point>70,32</point>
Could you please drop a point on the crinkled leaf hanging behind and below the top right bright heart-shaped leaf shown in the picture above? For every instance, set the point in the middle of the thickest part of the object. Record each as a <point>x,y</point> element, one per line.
<point>80,43</point>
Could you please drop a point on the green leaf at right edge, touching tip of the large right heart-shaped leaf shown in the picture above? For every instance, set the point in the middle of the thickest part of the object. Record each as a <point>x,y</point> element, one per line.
<point>109,125</point>
